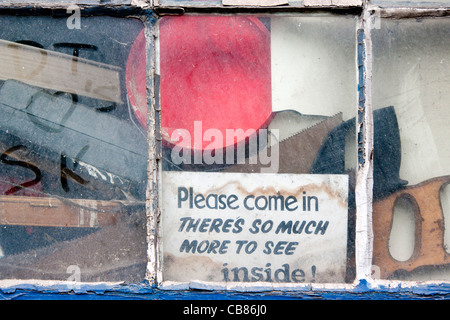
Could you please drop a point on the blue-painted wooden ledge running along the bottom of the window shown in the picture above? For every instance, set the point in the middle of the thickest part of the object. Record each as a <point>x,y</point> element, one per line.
<point>146,292</point>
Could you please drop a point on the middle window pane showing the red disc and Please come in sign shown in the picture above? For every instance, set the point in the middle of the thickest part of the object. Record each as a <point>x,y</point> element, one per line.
<point>258,130</point>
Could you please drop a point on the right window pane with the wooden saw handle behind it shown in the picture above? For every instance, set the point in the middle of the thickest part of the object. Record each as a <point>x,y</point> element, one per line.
<point>411,77</point>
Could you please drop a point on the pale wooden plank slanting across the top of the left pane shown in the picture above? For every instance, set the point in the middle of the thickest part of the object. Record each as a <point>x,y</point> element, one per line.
<point>58,71</point>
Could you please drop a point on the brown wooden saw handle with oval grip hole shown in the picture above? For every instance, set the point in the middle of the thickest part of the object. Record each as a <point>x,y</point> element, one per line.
<point>429,228</point>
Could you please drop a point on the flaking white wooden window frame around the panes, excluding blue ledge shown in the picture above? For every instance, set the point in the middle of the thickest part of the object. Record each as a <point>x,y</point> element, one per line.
<point>369,15</point>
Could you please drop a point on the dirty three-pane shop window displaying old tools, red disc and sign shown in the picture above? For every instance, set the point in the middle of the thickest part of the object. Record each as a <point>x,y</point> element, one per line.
<point>257,119</point>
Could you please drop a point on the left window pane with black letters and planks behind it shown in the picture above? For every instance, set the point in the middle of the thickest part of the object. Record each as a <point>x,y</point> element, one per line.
<point>72,152</point>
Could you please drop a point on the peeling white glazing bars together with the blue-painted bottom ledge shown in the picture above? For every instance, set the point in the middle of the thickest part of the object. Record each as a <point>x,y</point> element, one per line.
<point>363,287</point>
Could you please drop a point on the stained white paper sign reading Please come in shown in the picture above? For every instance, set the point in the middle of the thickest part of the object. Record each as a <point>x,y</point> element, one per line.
<point>238,227</point>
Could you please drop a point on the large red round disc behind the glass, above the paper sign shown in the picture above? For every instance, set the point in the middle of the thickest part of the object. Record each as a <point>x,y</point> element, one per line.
<point>215,77</point>
